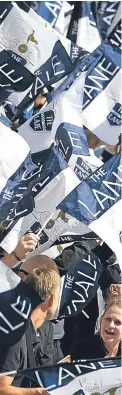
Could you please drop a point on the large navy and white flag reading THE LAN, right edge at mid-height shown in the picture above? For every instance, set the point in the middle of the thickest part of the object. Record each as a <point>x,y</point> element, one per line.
<point>97,201</point>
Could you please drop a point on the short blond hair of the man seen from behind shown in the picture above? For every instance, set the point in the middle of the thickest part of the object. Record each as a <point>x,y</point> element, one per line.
<point>46,282</point>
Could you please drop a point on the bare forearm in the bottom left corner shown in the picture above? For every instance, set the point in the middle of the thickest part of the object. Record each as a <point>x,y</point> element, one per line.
<point>7,389</point>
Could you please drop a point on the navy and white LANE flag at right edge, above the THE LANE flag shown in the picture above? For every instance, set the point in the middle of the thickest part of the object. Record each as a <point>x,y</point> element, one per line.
<point>102,99</point>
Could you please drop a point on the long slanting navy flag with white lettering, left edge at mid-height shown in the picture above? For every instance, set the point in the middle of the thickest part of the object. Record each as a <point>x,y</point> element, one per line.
<point>18,195</point>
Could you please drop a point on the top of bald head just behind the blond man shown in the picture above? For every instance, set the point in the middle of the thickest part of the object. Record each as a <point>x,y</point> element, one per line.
<point>40,262</point>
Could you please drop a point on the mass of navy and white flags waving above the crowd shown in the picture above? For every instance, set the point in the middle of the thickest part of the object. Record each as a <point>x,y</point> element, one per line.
<point>51,184</point>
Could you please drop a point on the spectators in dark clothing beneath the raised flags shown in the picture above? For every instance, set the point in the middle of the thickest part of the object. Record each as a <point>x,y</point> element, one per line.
<point>45,342</point>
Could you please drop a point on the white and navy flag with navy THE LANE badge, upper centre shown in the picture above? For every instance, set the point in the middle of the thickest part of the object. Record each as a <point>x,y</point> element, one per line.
<point>59,122</point>
